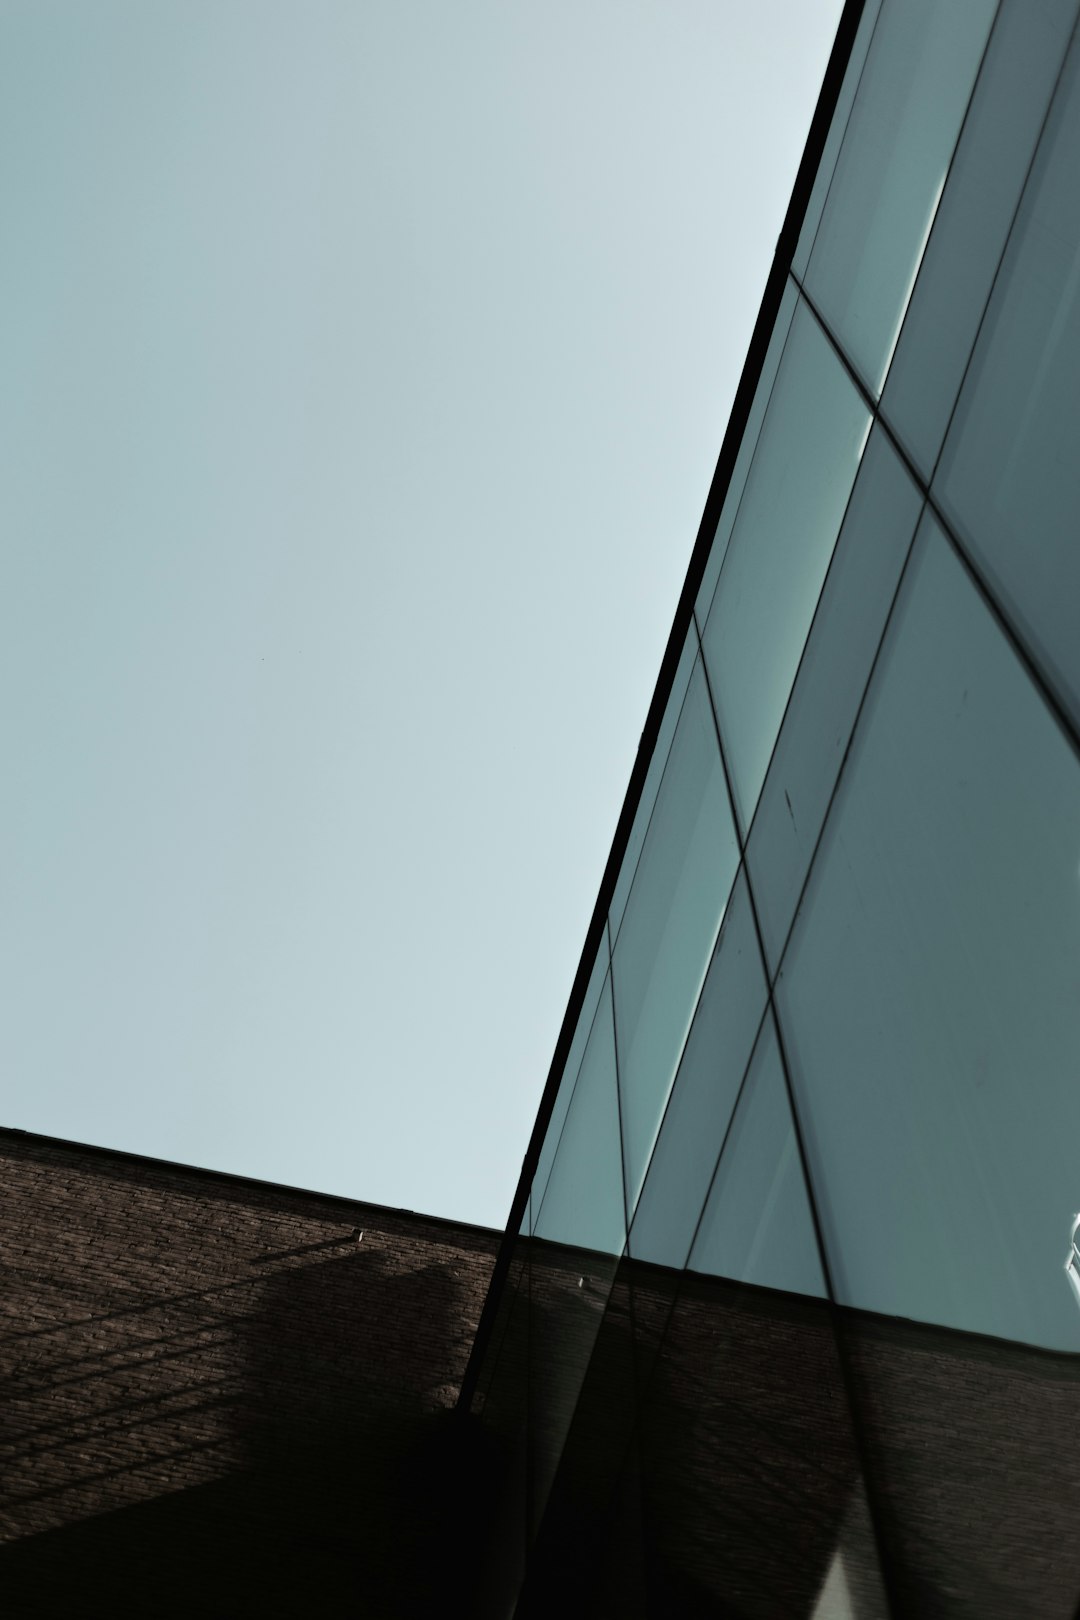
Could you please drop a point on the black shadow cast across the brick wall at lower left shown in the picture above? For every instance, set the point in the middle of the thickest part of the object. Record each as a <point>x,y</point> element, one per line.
<point>347,1480</point>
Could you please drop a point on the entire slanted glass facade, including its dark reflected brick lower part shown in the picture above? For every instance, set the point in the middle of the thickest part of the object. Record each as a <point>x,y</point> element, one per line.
<point>786,1321</point>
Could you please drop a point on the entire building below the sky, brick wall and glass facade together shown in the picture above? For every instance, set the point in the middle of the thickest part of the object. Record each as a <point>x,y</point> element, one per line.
<point>786,1323</point>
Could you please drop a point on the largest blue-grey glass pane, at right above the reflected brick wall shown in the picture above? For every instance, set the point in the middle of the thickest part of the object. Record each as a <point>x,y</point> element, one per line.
<point>930,987</point>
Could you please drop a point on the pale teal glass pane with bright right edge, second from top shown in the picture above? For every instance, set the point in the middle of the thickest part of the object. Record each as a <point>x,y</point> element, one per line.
<point>791,516</point>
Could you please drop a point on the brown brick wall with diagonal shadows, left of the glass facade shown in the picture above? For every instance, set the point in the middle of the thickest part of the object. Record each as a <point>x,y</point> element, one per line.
<point>224,1397</point>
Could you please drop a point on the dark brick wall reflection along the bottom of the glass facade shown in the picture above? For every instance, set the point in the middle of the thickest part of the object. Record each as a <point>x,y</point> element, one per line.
<point>731,1451</point>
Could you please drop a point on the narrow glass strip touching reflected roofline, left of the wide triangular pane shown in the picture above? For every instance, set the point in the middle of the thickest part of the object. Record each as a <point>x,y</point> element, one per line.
<point>704,1098</point>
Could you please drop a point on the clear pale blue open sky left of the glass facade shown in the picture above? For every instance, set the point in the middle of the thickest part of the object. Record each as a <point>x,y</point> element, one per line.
<point>364,370</point>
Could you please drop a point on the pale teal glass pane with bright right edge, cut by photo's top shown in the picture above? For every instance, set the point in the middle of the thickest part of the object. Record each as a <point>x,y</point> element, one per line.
<point>891,173</point>
